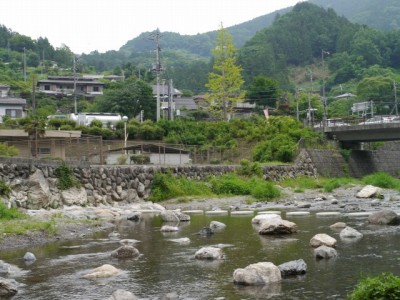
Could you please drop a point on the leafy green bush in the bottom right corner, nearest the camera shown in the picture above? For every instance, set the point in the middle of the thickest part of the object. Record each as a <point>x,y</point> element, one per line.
<point>385,286</point>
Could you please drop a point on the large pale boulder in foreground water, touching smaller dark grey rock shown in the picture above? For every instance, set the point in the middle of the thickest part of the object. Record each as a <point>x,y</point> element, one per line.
<point>257,274</point>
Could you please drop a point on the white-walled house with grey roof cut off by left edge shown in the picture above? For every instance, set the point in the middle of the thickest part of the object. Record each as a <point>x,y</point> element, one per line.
<point>11,106</point>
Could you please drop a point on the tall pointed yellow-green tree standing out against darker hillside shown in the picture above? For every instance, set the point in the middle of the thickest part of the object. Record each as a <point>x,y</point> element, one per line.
<point>225,81</point>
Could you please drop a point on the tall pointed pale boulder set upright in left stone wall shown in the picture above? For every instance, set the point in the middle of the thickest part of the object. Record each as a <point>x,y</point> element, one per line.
<point>38,194</point>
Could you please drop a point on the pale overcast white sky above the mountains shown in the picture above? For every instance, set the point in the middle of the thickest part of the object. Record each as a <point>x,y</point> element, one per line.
<point>88,25</point>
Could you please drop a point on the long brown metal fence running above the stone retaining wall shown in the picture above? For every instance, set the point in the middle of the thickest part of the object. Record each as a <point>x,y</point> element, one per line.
<point>94,150</point>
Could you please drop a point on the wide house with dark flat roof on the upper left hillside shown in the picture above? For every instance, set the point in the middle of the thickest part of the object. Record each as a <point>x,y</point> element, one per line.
<point>60,86</point>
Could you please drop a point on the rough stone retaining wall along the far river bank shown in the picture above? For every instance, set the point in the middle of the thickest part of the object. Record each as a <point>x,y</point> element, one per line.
<point>34,184</point>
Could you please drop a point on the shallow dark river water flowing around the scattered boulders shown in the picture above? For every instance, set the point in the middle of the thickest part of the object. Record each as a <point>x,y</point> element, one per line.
<point>166,266</point>
